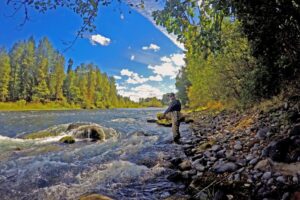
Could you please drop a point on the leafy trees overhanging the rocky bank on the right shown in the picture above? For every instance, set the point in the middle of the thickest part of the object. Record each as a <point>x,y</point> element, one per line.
<point>238,53</point>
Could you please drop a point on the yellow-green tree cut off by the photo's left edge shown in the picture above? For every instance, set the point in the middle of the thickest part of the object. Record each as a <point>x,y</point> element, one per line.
<point>5,72</point>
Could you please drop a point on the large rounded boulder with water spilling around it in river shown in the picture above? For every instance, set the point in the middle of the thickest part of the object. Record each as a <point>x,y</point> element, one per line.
<point>92,131</point>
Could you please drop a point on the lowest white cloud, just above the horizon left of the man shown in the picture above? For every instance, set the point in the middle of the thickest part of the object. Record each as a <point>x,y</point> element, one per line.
<point>142,91</point>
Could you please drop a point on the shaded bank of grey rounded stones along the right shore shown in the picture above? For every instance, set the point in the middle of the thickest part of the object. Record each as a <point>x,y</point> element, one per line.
<point>250,155</point>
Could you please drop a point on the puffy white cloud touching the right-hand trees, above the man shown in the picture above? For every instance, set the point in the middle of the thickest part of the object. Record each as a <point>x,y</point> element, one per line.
<point>169,66</point>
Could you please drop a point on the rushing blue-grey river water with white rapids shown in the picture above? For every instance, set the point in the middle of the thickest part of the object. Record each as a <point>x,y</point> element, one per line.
<point>128,165</point>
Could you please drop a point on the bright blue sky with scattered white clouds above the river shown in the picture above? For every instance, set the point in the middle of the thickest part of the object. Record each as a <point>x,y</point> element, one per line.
<point>130,47</point>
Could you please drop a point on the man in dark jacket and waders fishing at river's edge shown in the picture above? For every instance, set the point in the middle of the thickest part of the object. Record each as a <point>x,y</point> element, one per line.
<point>174,110</point>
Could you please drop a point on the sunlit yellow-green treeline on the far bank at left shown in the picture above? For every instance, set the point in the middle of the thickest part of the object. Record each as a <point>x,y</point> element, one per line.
<point>36,73</point>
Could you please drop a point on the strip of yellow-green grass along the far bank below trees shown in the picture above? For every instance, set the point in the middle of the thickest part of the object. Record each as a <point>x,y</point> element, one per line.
<point>23,106</point>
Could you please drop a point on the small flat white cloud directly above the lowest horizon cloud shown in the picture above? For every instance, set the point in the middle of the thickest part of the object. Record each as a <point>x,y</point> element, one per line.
<point>135,78</point>
